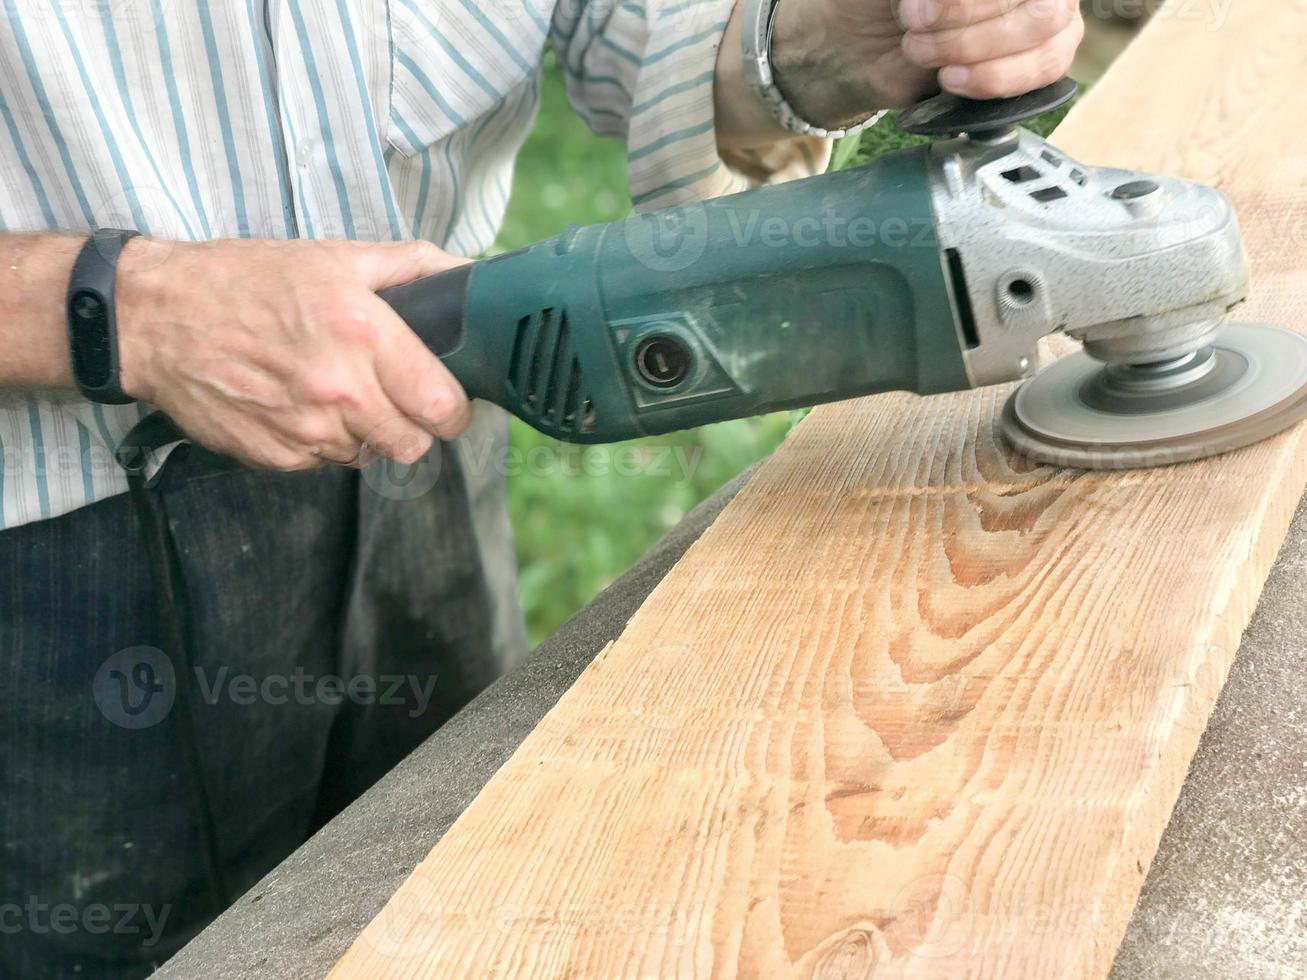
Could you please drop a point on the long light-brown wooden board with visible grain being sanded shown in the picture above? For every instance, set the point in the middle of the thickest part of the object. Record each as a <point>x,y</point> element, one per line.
<point>912,706</point>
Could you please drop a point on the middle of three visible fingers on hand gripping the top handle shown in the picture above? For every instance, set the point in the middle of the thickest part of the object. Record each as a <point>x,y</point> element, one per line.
<point>1021,31</point>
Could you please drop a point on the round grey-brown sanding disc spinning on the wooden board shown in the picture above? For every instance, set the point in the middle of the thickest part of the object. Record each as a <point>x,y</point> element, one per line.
<point>1250,385</point>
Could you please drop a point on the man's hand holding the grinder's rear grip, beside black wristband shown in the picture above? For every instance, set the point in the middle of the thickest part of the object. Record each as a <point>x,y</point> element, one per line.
<point>280,353</point>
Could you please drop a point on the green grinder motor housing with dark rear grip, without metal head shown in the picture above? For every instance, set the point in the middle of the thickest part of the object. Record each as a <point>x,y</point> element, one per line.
<point>784,297</point>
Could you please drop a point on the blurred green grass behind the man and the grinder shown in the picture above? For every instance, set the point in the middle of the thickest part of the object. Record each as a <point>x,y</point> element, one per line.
<point>585,517</point>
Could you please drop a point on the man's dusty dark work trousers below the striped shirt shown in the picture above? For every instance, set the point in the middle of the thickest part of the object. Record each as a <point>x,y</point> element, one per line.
<point>333,623</point>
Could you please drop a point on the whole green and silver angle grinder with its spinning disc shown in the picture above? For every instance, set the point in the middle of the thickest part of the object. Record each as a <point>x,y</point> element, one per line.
<point>933,270</point>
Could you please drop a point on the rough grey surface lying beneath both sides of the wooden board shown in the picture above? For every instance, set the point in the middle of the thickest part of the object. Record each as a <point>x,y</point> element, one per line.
<point>1227,896</point>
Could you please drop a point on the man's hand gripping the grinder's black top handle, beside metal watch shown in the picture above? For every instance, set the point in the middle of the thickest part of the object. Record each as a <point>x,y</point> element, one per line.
<point>838,61</point>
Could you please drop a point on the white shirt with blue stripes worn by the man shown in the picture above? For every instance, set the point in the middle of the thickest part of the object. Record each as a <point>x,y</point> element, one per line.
<point>367,120</point>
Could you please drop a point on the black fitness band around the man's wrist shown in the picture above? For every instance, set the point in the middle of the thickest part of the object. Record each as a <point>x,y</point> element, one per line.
<point>92,325</point>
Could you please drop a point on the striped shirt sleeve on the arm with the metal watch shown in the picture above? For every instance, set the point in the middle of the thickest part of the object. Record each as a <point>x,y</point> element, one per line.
<point>642,71</point>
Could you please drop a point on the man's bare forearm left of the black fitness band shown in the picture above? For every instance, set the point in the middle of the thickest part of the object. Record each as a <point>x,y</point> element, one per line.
<point>35,272</point>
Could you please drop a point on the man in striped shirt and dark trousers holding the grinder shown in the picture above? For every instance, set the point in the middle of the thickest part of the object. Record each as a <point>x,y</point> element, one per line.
<point>201,672</point>
